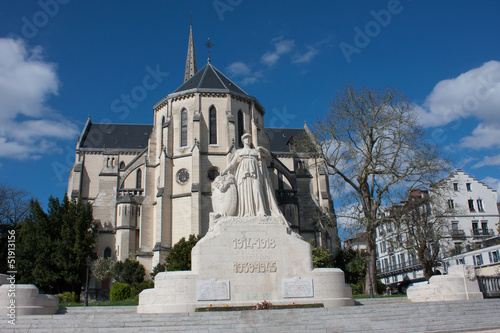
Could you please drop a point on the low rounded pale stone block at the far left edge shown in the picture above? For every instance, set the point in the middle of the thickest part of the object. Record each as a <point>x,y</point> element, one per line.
<point>27,300</point>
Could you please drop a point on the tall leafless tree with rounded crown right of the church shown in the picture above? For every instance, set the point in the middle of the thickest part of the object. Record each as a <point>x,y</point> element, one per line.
<point>372,145</point>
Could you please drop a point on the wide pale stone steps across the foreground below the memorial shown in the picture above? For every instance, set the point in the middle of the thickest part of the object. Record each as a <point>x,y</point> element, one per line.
<point>385,315</point>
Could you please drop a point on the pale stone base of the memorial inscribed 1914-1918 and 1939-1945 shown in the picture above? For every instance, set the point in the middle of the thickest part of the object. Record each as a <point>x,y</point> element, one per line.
<point>243,261</point>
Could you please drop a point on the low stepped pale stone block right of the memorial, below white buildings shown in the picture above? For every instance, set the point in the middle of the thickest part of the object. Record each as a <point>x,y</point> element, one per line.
<point>459,284</point>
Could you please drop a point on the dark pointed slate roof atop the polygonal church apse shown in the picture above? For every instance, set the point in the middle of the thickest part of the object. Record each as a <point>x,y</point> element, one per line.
<point>210,78</point>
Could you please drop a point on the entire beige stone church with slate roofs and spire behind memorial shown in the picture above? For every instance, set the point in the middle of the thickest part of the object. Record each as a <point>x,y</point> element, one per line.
<point>150,185</point>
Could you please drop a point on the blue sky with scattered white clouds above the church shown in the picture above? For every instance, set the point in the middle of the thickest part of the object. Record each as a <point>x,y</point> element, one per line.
<point>62,60</point>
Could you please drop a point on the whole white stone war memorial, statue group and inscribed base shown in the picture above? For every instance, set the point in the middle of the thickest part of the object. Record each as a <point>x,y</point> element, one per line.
<point>249,253</point>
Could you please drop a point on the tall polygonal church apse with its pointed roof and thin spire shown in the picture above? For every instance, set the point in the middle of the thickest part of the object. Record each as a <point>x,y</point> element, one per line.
<point>196,128</point>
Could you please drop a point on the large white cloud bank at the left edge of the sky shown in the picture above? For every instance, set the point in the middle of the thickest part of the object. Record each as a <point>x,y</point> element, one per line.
<point>28,128</point>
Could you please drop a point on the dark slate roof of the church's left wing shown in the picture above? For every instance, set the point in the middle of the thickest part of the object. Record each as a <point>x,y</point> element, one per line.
<point>116,136</point>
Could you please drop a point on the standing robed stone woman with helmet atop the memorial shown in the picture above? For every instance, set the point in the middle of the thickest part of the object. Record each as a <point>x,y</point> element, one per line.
<point>255,191</point>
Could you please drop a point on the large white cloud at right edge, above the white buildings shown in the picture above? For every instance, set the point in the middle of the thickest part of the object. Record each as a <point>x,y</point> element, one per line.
<point>475,93</point>
